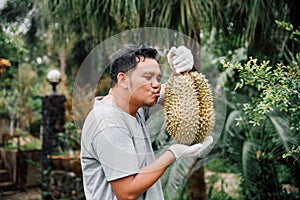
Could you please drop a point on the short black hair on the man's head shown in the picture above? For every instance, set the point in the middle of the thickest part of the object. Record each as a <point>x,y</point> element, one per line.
<point>127,58</point>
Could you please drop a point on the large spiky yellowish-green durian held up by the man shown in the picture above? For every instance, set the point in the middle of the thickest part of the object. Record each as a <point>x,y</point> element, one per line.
<point>189,112</point>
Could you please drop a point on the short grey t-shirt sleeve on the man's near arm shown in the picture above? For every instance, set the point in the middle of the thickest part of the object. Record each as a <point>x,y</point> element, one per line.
<point>115,150</point>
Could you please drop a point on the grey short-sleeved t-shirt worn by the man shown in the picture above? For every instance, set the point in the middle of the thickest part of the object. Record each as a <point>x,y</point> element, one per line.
<point>114,145</point>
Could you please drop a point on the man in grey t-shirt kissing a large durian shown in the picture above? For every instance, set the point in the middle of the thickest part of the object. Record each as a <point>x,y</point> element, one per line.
<point>116,154</point>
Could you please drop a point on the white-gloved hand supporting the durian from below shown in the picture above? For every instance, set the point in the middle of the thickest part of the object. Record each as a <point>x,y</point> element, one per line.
<point>181,150</point>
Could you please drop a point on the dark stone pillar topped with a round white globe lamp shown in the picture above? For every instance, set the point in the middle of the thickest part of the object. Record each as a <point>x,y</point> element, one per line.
<point>53,114</point>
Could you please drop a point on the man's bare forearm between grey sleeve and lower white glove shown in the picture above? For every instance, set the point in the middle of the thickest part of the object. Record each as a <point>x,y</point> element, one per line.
<point>131,187</point>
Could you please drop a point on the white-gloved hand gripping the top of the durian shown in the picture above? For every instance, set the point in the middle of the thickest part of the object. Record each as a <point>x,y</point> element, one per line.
<point>180,59</point>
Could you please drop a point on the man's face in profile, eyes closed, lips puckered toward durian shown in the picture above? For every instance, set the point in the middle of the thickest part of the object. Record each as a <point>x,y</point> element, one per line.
<point>144,83</point>
